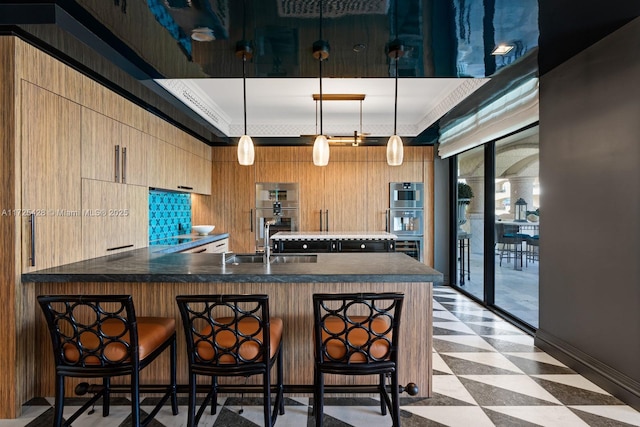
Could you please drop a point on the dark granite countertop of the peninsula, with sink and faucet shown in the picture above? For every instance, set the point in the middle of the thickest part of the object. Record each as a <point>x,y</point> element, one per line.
<point>144,265</point>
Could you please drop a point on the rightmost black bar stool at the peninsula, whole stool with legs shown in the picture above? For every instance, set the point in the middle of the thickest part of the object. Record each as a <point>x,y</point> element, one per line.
<point>358,334</point>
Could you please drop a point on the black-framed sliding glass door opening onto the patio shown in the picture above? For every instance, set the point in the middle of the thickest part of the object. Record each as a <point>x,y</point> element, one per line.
<point>497,235</point>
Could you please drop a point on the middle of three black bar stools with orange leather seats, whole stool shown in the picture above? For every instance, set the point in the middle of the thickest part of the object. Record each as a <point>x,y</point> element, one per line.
<point>232,335</point>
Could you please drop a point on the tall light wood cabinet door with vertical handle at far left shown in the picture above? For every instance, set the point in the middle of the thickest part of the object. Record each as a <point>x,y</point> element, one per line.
<point>51,205</point>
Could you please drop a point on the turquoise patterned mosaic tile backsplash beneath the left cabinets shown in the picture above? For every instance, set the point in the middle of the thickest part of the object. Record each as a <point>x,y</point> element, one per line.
<point>169,214</point>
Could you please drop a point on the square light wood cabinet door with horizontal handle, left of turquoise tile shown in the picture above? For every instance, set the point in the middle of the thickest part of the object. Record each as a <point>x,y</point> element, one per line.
<point>115,218</point>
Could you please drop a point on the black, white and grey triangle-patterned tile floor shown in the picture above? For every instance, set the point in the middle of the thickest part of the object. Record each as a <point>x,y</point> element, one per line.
<point>486,372</point>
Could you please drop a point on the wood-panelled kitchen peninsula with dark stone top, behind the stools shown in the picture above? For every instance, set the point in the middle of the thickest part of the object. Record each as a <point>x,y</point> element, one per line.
<point>154,279</point>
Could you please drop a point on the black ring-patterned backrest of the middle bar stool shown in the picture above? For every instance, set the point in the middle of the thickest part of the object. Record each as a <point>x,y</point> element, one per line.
<point>226,330</point>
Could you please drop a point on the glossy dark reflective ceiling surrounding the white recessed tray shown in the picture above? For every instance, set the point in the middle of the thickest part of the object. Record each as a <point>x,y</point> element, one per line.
<point>127,43</point>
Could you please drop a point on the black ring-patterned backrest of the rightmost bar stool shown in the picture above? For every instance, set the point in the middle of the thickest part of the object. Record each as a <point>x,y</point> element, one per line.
<point>357,328</point>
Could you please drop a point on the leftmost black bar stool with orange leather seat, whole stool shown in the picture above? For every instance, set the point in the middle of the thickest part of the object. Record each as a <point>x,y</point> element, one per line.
<point>99,336</point>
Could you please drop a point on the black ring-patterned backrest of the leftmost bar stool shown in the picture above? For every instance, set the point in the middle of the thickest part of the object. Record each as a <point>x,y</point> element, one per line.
<point>92,332</point>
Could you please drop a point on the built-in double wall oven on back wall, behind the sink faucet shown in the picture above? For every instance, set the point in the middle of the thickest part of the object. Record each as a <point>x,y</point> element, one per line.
<point>279,202</point>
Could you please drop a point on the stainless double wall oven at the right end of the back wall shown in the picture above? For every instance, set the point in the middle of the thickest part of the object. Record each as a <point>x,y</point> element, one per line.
<point>406,217</point>
